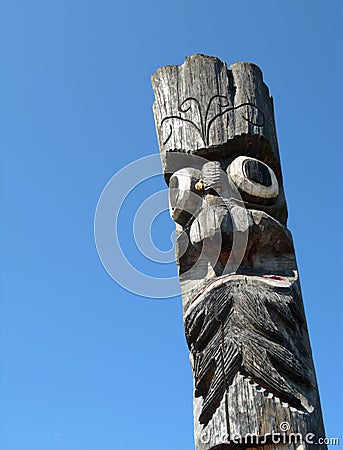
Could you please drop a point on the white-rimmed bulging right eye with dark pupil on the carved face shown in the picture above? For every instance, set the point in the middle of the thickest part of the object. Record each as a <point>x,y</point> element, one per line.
<point>255,181</point>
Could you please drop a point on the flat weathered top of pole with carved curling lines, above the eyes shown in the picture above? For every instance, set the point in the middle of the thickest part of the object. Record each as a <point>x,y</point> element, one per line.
<point>202,107</point>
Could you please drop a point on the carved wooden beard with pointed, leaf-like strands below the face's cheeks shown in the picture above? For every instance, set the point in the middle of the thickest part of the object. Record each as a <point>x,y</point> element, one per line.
<point>254,328</point>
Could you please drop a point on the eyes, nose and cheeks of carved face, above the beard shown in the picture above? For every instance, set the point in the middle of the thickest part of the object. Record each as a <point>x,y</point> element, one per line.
<point>229,218</point>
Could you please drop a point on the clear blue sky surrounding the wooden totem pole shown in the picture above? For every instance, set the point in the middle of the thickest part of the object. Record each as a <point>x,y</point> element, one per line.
<point>86,364</point>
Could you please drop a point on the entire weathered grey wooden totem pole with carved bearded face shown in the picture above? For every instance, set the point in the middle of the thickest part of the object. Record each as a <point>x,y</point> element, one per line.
<point>254,380</point>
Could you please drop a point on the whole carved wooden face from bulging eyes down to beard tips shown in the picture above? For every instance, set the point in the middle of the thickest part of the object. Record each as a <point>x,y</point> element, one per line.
<point>241,299</point>
